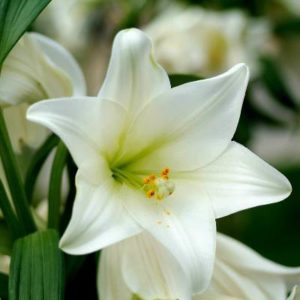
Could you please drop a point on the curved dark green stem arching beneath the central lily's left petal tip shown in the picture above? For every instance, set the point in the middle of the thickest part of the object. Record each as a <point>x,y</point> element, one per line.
<point>37,162</point>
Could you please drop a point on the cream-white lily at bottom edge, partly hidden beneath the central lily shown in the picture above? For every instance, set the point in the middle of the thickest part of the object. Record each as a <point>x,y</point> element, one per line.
<point>141,267</point>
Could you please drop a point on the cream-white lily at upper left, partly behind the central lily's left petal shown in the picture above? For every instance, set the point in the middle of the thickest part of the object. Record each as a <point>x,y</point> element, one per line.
<point>37,68</point>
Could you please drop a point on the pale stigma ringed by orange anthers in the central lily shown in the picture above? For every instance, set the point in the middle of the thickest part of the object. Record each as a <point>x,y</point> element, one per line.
<point>158,187</point>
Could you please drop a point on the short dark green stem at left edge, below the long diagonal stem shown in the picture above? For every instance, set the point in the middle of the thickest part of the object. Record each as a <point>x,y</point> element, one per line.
<point>9,214</point>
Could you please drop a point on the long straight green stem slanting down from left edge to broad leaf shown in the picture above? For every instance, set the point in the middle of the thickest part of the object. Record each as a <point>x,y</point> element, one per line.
<point>14,179</point>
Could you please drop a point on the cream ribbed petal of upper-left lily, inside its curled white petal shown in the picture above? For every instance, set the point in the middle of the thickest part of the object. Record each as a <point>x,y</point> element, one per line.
<point>28,75</point>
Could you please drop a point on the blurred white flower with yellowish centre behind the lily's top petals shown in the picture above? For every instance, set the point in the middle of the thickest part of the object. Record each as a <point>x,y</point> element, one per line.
<point>205,42</point>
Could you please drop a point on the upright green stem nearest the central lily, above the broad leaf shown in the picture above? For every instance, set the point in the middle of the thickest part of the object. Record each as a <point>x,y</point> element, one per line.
<point>54,195</point>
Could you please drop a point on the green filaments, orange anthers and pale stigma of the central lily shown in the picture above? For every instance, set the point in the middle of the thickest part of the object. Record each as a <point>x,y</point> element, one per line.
<point>156,187</point>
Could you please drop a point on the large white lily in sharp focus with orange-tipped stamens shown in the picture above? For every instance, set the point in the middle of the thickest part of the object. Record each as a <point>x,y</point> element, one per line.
<point>157,159</point>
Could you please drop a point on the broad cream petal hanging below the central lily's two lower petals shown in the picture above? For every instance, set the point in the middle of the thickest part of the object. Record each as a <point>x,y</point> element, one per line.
<point>150,271</point>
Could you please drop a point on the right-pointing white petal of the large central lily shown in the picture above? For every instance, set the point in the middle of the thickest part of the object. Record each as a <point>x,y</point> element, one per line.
<point>239,179</point>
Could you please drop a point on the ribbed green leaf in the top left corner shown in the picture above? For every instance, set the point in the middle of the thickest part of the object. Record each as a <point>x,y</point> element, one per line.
<point>15,17</point>
